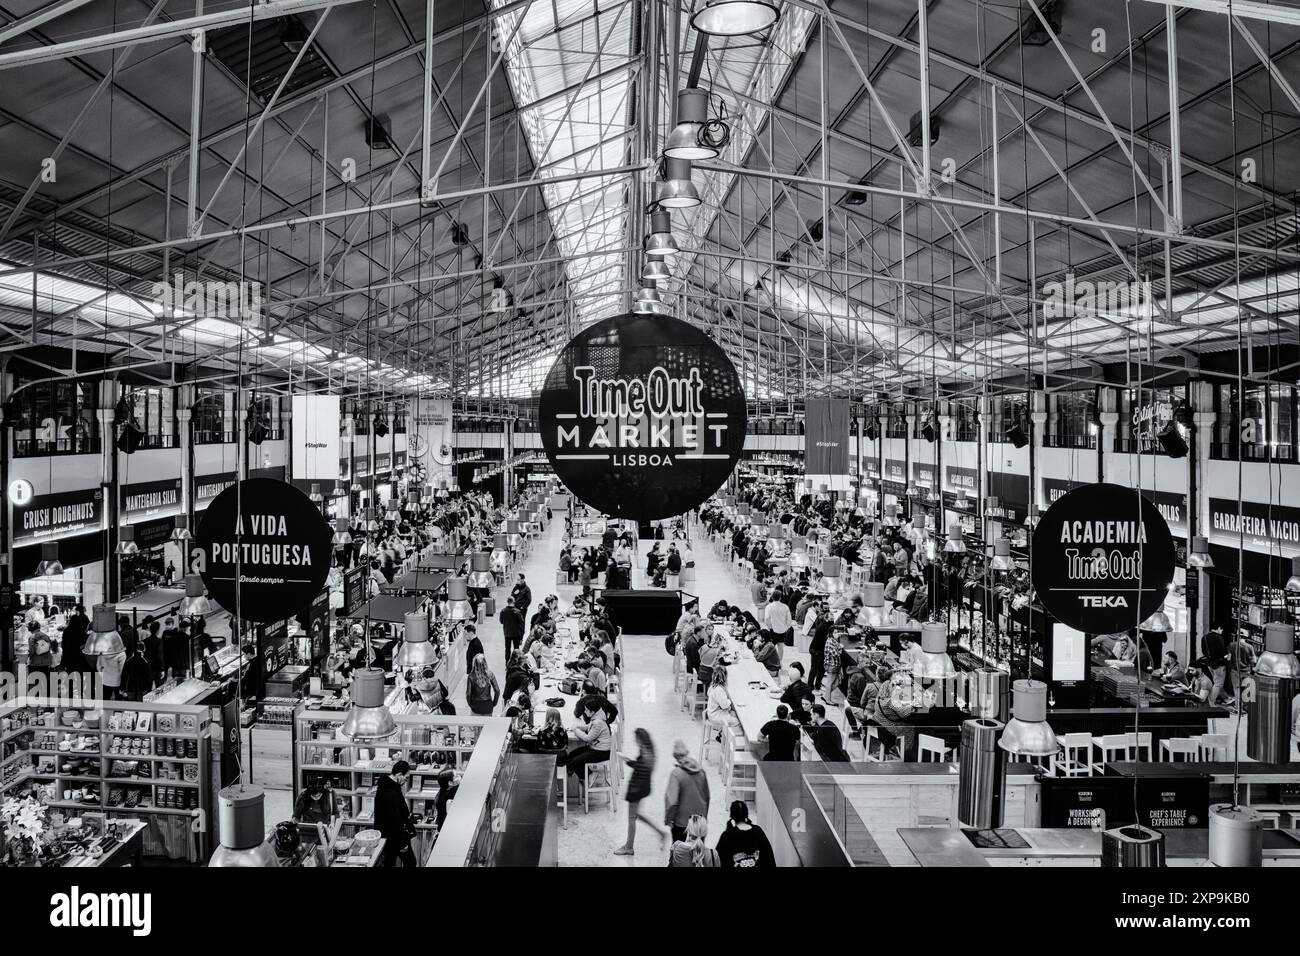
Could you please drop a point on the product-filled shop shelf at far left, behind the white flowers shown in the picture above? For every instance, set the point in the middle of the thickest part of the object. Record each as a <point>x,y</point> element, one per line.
<point>118,758</point>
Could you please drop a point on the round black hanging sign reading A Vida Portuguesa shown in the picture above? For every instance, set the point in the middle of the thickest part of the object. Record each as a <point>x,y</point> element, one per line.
<point>279,540</point>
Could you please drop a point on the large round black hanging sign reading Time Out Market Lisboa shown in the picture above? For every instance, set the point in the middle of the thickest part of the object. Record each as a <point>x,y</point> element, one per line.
<point>643,417</point>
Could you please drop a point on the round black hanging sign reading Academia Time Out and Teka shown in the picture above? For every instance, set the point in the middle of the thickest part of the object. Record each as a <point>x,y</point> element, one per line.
<point>1103,559</point>
